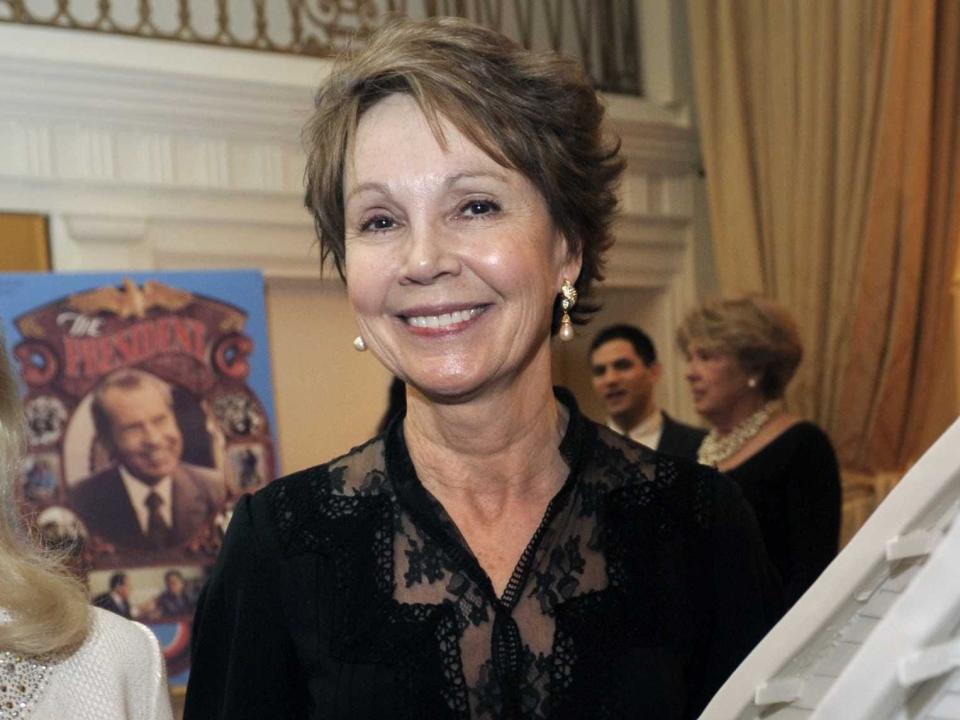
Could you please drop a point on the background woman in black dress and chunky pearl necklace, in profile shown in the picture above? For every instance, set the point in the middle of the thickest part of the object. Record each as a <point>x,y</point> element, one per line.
<point>741,355</point>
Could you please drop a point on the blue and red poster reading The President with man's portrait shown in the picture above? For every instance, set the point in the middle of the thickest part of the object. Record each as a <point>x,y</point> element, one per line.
<point>149,411</point>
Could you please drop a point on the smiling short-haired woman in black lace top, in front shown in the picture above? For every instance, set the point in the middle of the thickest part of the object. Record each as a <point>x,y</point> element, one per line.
<point>493,554</point>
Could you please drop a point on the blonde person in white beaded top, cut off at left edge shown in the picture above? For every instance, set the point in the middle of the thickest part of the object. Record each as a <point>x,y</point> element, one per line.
<point>60,658</point>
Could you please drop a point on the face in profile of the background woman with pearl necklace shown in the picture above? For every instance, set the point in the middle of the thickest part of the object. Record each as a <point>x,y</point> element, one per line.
<point>718,382</point>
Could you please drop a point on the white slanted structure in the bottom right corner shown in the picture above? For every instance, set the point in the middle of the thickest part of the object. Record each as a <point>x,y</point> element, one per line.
<point>877,637</point>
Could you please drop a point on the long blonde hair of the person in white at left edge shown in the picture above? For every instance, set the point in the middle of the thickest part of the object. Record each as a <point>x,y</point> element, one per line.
<point>50,610</point>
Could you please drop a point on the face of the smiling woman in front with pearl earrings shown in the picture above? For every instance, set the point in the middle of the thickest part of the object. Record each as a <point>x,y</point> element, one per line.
<point>452,261</point>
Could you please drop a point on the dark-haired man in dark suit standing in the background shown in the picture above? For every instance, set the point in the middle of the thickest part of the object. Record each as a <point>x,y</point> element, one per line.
<point>623,361</point>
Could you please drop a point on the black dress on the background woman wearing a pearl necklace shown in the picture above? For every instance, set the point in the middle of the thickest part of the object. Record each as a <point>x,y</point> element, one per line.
<point>793,484</point>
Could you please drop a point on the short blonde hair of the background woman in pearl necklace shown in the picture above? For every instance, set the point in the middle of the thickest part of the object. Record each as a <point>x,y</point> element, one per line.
<point>758,332</point>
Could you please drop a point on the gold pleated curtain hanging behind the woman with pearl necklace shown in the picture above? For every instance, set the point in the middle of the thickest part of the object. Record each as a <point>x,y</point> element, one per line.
<point>829,137</point>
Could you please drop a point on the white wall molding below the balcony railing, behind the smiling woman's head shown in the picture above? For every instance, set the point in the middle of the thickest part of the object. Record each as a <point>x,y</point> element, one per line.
<point>152,154</point>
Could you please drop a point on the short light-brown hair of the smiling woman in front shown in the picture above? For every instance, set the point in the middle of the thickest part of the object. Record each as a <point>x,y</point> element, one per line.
<point>533,112</point>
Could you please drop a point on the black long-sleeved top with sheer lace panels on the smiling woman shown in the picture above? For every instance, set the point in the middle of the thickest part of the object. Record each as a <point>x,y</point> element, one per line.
<point>345,591</point>
